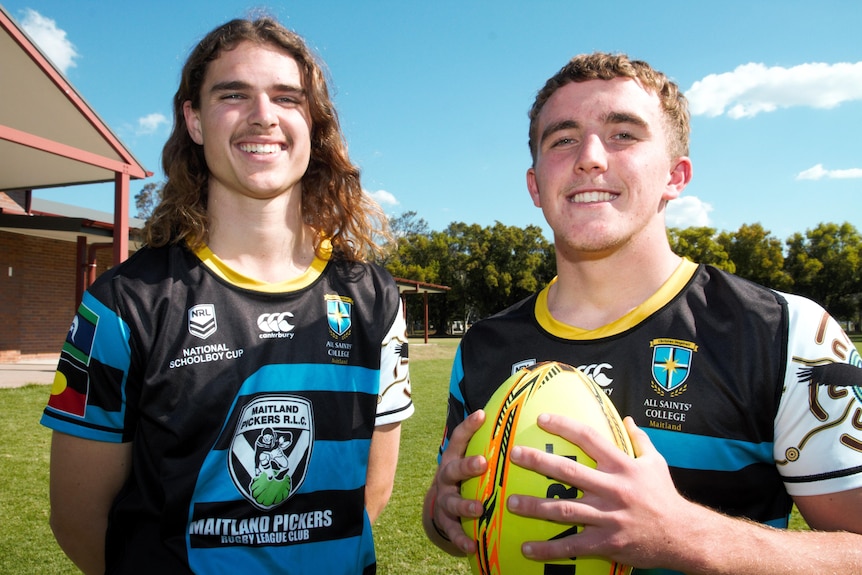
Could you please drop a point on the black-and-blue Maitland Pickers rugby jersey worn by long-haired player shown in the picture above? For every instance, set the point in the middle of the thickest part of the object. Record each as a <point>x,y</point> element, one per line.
<point>250,408</point>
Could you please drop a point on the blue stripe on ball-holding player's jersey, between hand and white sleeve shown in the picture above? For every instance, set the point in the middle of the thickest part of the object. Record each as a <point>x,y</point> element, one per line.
<point>688,451</point>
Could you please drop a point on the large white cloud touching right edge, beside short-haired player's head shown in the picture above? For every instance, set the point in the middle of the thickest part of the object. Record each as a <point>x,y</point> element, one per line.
<point>754,88</point>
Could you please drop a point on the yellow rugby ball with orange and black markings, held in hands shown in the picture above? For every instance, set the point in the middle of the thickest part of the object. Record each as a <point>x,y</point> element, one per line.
<point>511,413</point>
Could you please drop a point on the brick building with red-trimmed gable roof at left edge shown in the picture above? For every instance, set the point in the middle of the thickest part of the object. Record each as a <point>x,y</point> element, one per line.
<point>50,137</point>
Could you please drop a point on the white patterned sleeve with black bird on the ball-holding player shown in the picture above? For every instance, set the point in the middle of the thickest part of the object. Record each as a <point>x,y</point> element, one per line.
<point>818,427</point>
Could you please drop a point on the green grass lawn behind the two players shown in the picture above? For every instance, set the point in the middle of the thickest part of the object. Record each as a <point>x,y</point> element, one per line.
<point>27,545</point>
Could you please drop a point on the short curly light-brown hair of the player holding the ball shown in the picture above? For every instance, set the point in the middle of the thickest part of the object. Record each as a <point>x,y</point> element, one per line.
<point>603,66</point>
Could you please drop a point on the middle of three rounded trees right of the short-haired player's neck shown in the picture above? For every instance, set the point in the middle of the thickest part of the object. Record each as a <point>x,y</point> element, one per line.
<point>757,256</point>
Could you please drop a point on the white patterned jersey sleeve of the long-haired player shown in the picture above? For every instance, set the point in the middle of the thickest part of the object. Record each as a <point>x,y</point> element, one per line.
<point>395,401</point>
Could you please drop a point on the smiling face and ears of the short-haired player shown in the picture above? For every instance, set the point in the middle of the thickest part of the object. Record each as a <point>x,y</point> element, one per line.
<point>603,171</point>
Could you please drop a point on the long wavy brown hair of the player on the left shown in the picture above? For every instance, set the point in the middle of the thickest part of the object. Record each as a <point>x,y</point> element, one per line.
<point>333,202</point>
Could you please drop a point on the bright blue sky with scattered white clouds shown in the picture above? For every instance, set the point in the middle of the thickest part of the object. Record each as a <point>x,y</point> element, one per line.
<point>433,96</point>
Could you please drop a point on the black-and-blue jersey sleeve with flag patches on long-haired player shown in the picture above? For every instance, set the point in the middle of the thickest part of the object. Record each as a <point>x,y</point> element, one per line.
<point>88,395</point>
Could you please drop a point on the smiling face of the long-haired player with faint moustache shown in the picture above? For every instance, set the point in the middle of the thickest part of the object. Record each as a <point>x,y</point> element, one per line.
<point>253,122</point>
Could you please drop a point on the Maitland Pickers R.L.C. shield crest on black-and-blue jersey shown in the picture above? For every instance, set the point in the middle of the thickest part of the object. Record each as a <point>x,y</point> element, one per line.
<point>271,448</point>
